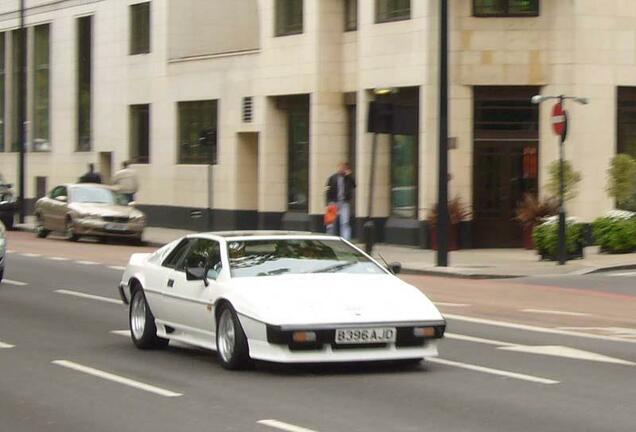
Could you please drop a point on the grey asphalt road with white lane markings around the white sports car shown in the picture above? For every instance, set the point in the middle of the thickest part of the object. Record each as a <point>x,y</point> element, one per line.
<point>493,374</point>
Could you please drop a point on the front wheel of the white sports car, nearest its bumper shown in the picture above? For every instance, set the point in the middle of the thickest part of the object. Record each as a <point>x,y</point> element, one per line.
<point>231,342</point>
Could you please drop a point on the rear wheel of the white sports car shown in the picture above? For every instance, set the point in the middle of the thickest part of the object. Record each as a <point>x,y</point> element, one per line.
<point>143,330</point>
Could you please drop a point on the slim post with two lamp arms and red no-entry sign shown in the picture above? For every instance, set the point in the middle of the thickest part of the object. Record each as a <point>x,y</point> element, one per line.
<point>561,249</point>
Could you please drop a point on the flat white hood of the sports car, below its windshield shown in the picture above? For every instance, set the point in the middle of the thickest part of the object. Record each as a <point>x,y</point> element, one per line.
<point>330,299</point>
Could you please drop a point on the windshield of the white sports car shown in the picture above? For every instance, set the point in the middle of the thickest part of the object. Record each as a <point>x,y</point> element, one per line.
<point>273,257</point>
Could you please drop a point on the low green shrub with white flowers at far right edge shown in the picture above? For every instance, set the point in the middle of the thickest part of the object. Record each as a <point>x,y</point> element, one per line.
<point>615,235</point>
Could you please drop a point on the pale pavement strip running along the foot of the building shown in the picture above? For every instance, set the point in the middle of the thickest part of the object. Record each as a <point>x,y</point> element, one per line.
<point>470,263</point>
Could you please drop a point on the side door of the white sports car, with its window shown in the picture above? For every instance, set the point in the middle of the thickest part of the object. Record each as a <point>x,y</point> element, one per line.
<point>189,303</point>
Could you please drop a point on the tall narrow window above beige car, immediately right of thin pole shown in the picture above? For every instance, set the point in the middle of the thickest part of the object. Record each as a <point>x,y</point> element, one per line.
<point>41,88</point>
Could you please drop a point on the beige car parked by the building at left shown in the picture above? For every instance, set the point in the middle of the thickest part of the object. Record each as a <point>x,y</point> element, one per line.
<point>88,210</point>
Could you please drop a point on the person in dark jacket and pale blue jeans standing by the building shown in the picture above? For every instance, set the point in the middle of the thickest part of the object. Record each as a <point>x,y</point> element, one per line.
<point>340,188</point>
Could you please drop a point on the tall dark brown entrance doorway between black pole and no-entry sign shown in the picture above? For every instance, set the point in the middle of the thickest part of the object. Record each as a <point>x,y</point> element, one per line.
<point>505,156</point>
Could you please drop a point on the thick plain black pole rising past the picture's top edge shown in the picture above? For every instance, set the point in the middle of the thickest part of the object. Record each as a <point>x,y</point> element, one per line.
<point>442,192</point>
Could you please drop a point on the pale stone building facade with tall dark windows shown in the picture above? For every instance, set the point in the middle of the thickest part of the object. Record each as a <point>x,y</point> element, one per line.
<point>236,112</point>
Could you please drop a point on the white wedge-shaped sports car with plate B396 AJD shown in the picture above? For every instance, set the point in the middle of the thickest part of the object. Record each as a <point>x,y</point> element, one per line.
<point>280,297</point>
